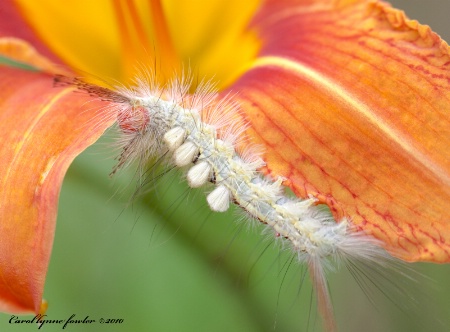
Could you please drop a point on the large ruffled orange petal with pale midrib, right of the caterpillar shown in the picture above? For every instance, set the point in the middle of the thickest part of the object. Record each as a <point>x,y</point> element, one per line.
<point>352,101</point>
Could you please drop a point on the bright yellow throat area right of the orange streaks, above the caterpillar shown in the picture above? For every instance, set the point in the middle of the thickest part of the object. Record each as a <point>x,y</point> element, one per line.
<point>213,36</point>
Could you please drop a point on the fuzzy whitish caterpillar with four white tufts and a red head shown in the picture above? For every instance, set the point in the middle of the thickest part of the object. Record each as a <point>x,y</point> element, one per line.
<point>205,134</point>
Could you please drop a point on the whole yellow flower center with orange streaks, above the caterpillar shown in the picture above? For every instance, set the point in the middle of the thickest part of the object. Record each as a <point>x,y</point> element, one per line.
<point>111,39</point>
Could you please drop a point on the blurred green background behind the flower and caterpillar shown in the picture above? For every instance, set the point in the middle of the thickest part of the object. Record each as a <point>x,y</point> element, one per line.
<point>164,262</point>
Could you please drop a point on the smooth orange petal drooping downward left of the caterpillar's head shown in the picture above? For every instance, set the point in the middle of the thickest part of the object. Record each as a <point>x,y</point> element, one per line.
<point>43,129</point>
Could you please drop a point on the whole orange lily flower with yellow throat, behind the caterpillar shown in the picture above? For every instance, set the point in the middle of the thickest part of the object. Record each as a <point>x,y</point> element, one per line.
<point>349,98</point>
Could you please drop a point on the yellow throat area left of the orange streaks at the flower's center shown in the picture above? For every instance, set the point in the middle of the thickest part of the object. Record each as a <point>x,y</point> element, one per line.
<point>83,34</point>
